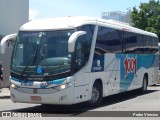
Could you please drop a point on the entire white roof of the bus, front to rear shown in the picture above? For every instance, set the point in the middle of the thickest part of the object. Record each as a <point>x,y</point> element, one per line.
<point>60,23</point>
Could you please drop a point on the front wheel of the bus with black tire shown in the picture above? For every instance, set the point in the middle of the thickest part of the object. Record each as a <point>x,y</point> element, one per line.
<point>96,96</point>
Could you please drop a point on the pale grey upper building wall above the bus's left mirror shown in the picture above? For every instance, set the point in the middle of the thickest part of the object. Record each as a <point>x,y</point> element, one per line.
<point>13,13</point>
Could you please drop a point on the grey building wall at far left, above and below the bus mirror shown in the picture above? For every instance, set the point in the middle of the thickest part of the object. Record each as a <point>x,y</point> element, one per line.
<point>13,14</point>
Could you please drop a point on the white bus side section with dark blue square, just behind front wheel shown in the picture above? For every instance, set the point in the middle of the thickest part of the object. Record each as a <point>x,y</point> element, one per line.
<point>106,67</point>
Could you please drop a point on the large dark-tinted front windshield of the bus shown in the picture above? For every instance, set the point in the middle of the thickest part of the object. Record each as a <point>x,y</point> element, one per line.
<point>42,53</point>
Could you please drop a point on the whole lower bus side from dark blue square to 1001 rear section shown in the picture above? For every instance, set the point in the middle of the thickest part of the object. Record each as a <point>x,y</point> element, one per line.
<point>124,72</point>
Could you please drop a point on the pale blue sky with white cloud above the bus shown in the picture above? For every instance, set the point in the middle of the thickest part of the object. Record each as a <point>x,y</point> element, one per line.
<point>94,8</point>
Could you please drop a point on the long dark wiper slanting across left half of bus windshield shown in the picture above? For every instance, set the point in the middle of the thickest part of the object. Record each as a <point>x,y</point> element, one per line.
<point>34,60</point>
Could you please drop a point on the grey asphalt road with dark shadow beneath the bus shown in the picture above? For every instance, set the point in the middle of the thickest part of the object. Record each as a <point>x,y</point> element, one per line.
<point>130,104</point>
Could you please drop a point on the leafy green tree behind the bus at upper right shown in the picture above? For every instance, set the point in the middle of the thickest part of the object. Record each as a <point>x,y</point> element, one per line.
<point>147,17</point>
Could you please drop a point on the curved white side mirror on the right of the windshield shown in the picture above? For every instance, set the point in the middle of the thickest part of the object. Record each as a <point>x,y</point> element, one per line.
<point>72,40</point>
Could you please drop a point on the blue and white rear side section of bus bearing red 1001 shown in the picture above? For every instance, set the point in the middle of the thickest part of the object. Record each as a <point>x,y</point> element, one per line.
<point>133,68</point>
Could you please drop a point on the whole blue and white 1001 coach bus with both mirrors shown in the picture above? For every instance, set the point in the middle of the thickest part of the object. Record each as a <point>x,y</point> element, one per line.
<point>68,60</point>
